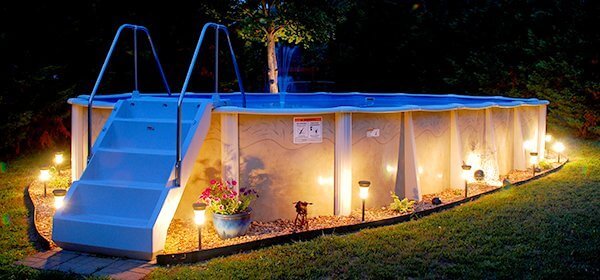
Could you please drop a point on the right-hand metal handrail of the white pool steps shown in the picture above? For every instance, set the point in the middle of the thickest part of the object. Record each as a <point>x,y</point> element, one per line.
<point>217,27</point>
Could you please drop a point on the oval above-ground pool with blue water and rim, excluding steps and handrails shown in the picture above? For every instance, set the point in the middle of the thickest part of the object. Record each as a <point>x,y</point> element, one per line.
<point>411,144</point>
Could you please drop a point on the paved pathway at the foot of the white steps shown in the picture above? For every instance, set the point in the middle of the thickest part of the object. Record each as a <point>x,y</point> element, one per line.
<point>87,264</point>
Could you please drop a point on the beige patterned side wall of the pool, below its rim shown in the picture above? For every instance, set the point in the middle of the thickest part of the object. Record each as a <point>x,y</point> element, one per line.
<point>414,153</point>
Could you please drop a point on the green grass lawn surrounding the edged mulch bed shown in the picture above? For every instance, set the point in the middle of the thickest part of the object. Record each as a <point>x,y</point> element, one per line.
<point>549,228</point>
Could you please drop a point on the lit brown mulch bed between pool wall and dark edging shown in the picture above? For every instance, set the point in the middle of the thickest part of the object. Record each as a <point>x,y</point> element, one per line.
<point>182,235</point>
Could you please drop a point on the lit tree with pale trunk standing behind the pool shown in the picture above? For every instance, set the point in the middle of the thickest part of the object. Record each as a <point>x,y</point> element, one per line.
<point>299,22</point>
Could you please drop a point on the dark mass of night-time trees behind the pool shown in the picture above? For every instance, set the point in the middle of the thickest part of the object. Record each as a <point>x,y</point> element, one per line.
<point>547,49</point>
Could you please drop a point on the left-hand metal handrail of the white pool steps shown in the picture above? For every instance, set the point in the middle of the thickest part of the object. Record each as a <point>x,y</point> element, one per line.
<point>135,28</point>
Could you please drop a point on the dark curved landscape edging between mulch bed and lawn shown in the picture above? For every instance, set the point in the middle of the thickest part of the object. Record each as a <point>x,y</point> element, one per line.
<point>204,255</point>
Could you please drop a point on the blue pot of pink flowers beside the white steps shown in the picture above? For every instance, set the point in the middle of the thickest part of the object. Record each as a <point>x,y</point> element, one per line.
<point>230,209</point>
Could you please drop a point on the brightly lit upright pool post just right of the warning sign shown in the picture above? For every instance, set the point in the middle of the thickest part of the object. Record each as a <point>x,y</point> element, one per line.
<point>343,164</point>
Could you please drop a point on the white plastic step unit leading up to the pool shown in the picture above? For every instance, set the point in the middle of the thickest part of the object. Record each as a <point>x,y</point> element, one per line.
<point>125,199</point>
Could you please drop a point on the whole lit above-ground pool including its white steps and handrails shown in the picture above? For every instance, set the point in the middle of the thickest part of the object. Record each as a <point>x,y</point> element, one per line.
<point>150,159</point>
